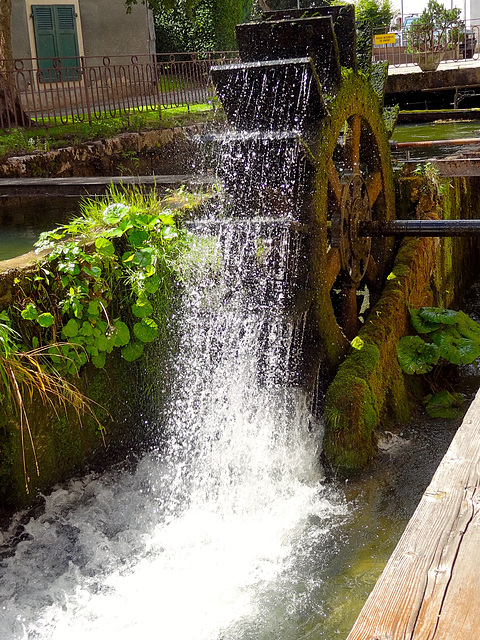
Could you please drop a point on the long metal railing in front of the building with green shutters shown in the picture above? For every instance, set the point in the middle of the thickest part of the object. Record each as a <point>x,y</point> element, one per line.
<point>52,92</point>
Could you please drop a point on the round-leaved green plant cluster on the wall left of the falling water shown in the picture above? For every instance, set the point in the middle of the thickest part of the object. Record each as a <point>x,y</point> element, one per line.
<point>124,243</point>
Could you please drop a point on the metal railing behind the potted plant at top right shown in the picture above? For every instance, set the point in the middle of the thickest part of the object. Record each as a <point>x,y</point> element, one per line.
<point>412,47</point>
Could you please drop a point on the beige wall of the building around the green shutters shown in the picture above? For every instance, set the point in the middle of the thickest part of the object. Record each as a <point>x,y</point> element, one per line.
<point>103,26</point>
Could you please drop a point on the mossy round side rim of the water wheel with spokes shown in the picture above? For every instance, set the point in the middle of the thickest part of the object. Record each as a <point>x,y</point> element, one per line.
<point>354,182</point>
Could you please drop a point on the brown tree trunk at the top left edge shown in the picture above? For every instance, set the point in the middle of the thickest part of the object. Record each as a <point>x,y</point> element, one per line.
<point>11,113</point>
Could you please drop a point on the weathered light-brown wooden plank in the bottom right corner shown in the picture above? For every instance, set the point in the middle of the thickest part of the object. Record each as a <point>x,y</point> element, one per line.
<point>430,588</point>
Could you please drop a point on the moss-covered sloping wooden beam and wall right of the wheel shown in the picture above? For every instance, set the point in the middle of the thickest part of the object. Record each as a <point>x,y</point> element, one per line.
<point>369,390</point>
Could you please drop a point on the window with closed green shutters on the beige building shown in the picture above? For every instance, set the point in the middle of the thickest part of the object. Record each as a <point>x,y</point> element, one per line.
<point>56,41</point>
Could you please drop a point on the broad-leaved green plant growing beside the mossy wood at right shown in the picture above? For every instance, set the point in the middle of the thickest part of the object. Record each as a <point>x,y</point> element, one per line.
<point>445,337</point>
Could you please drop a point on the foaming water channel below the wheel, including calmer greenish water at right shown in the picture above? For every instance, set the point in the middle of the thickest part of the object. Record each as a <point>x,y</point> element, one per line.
<point>227,529</point>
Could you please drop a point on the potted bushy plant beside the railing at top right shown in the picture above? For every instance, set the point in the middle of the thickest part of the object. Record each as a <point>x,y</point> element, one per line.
<point>430,34</point>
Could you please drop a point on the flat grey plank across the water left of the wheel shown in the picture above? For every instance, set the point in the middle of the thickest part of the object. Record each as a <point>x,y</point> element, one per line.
<point>25,187</point>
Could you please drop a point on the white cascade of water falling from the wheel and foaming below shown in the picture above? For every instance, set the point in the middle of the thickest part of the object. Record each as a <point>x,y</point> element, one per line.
<point>216,534</point>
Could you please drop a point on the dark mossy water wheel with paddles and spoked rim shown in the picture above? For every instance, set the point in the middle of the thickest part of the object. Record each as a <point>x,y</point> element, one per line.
<point>340,122</point>
